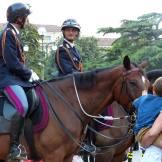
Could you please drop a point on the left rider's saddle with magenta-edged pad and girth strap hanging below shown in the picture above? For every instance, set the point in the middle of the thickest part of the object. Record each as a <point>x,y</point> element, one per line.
<point>36,118</point>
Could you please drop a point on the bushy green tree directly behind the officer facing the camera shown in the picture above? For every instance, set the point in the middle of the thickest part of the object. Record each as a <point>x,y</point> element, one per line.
<point>89,50</point>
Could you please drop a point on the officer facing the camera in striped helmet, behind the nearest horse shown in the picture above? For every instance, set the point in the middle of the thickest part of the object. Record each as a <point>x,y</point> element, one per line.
<point>68,59</point>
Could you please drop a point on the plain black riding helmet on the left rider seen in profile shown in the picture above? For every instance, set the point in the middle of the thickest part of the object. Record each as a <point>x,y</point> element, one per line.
<point>17,10</point>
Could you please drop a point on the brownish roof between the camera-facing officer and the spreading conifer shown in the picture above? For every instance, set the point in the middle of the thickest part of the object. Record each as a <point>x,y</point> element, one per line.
<point>105,42</point>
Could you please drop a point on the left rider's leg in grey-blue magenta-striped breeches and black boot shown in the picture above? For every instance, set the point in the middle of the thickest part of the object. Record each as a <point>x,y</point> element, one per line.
<point>17,97</point>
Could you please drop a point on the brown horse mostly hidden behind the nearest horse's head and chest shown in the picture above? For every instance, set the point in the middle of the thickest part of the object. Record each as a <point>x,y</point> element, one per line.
<point>117,153</point>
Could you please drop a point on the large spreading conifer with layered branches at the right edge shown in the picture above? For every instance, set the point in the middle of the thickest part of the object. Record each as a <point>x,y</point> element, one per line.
<point>139,38</point>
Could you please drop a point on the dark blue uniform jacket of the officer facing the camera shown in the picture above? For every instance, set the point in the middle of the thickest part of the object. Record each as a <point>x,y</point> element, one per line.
<point>68,59</point>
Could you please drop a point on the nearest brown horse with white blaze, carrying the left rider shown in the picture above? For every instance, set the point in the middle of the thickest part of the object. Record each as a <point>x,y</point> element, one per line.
<point>60,140</point>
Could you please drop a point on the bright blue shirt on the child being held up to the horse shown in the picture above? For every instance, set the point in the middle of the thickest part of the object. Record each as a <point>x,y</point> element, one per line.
<point>147,108</point>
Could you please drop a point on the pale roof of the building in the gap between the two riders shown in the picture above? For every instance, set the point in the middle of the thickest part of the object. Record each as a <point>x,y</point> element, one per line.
<point>49,28</point>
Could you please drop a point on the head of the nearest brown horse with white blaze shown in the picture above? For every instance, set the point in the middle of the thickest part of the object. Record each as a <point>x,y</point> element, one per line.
<point>132,84</point>
